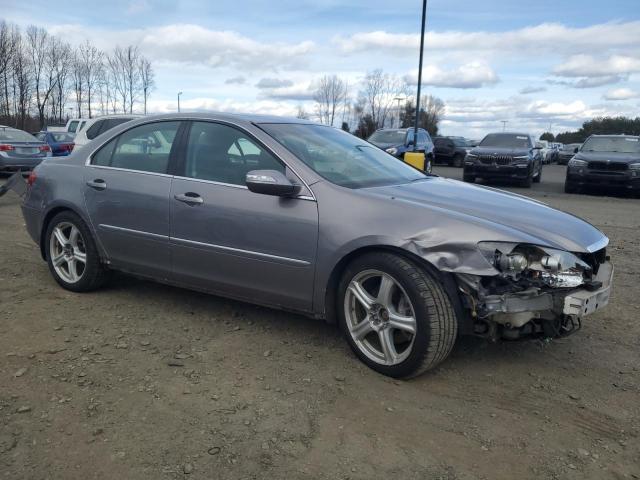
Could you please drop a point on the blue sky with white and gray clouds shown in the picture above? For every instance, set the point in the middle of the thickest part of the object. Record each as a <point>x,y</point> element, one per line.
<point>533,63</point>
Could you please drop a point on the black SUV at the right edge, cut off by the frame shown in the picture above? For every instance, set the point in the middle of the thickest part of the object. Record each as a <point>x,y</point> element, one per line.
<point>605,161</point>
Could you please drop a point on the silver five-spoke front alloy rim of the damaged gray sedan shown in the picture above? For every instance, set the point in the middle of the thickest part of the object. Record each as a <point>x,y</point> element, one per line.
<point>380,317</point>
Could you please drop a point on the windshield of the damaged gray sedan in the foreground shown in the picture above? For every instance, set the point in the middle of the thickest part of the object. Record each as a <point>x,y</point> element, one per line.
<point>340,157</point>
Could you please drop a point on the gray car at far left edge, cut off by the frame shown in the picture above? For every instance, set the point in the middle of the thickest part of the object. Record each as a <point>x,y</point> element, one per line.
<point>20,151</point>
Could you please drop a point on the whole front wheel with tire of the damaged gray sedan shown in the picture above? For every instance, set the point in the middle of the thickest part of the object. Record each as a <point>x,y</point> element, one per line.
<point>396,316</point>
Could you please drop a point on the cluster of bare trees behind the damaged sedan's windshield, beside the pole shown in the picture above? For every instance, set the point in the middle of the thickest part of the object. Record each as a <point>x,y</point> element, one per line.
<point>382,100</point>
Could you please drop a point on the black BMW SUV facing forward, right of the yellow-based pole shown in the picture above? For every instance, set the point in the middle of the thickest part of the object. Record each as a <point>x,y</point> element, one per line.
<point>505,156</point>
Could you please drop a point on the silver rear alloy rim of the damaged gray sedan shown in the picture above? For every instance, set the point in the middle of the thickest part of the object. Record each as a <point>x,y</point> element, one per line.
<point>68,252</point>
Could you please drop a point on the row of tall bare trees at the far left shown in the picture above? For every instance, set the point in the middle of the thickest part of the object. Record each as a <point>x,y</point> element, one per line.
<point>45,80</point>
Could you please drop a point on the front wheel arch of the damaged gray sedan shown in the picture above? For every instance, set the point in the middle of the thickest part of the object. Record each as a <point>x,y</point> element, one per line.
<point>447,280</point>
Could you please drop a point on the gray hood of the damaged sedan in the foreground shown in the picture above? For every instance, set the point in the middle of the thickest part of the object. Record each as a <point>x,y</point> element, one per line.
<point>509,215</point>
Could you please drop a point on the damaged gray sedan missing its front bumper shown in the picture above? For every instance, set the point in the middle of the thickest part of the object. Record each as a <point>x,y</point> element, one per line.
<point>309,218</point>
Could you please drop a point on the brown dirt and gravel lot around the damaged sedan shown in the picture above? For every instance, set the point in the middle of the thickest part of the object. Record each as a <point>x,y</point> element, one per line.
<point>141,380</point>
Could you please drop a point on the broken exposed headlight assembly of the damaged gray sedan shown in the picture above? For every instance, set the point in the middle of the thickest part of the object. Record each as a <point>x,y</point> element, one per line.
<point>536,265</point>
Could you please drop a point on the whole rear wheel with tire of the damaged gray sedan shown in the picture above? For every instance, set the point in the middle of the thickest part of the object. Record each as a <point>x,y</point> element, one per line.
<point>72,255</point>
